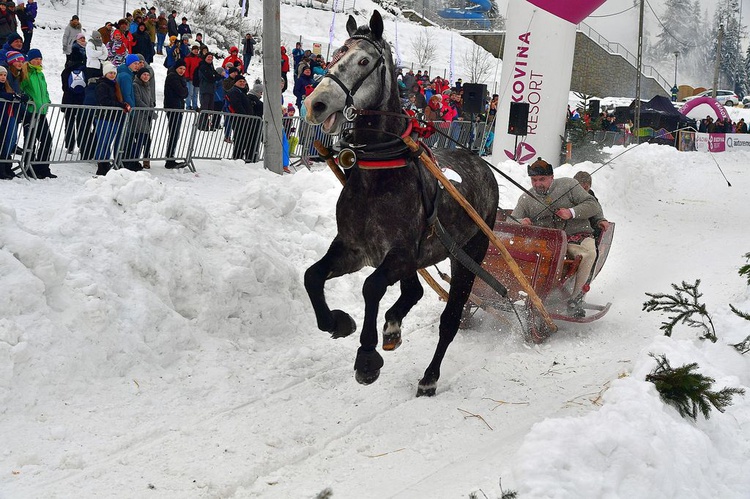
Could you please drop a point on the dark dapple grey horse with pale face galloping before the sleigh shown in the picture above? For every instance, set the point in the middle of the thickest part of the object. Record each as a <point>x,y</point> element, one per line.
<point>383,210</point>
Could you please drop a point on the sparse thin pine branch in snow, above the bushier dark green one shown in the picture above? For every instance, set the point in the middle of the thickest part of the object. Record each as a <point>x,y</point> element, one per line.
<point>684,305</point>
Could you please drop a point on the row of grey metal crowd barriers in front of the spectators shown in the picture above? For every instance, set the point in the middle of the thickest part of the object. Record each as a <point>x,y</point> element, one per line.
<point>62,133</point>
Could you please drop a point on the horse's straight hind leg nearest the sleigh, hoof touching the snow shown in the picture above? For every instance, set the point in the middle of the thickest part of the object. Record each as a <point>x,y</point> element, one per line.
<point>462,281</point>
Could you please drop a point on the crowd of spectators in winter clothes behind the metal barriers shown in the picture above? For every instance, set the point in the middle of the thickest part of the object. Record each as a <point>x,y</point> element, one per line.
<point>111,67</point>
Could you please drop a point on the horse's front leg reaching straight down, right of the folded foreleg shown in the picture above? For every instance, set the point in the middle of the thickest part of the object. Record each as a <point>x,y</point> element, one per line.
<point>394,267</point>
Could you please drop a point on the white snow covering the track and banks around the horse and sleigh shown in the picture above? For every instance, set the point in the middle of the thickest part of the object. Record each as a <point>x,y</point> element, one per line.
<point>156,340</point>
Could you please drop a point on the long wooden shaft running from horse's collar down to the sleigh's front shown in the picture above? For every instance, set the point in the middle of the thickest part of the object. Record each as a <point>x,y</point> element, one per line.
<point>479,221</point>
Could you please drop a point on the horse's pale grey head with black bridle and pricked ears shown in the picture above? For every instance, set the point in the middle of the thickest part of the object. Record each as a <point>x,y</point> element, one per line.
<point>360,76</point>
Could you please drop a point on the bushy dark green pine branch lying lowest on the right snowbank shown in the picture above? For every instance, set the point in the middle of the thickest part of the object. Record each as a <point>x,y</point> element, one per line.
<point>689,392</point>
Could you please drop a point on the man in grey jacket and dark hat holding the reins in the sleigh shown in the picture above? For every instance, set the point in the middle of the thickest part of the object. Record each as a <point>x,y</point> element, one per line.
<point>562,204</point>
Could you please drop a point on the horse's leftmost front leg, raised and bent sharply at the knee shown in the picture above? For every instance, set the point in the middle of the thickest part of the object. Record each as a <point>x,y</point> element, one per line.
<point>336,262</point>
